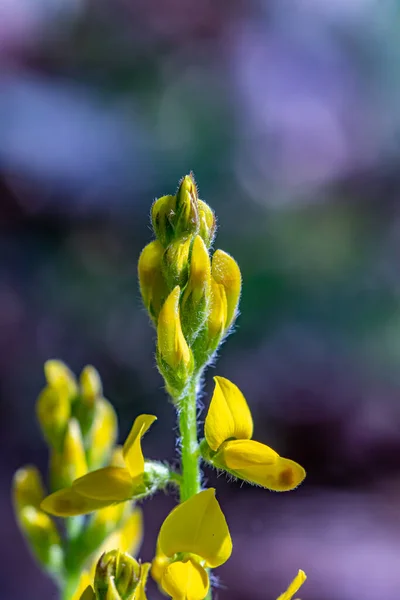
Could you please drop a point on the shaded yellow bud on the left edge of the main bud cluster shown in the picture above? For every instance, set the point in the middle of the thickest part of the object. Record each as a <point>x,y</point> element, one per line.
<point>151,279</point>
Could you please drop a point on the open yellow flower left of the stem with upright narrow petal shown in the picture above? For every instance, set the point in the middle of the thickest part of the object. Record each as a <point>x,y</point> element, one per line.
<point>106,486</point>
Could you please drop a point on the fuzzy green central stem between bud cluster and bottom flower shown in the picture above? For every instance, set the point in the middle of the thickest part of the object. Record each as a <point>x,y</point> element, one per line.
<point>190,483</point>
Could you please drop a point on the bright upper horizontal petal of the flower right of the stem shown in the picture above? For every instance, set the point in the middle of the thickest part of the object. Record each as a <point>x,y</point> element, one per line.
<point>243,454</point>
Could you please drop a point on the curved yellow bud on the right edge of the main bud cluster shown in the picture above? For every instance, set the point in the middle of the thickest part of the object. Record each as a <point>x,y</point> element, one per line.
<point>226,272</point>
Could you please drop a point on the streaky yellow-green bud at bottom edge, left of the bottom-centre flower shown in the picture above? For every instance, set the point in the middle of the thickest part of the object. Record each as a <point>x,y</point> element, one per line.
<point>117,576</point>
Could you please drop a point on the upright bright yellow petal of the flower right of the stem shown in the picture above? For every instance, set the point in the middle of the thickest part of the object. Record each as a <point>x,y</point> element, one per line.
<point>228,415</point>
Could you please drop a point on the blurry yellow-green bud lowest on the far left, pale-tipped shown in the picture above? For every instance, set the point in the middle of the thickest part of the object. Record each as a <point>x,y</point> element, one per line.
<point>42,536</point>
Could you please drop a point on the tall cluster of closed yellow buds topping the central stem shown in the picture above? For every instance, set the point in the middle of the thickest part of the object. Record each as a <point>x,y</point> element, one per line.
<point>192,297</point>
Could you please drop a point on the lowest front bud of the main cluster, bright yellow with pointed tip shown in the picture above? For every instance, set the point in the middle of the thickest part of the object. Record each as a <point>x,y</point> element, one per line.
<point>175,359</point>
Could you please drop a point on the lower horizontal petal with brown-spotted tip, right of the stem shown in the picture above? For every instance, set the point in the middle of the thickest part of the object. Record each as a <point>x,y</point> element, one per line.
<point>282,476</point>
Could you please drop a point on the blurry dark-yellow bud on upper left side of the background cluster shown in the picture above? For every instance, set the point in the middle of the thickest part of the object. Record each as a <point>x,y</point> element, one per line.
<point>53,410</point>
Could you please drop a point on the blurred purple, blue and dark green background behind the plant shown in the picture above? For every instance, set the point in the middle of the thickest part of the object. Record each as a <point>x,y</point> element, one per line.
<point>288,113</point>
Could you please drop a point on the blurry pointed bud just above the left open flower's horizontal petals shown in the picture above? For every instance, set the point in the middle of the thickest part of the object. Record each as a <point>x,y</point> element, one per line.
<point>70,463</point>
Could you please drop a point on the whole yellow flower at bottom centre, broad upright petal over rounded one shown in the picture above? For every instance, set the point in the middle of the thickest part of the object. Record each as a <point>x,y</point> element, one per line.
<point>194,536</point>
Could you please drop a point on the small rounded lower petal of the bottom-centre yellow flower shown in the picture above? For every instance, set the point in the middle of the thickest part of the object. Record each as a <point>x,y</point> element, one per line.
<point>185,581</point>
